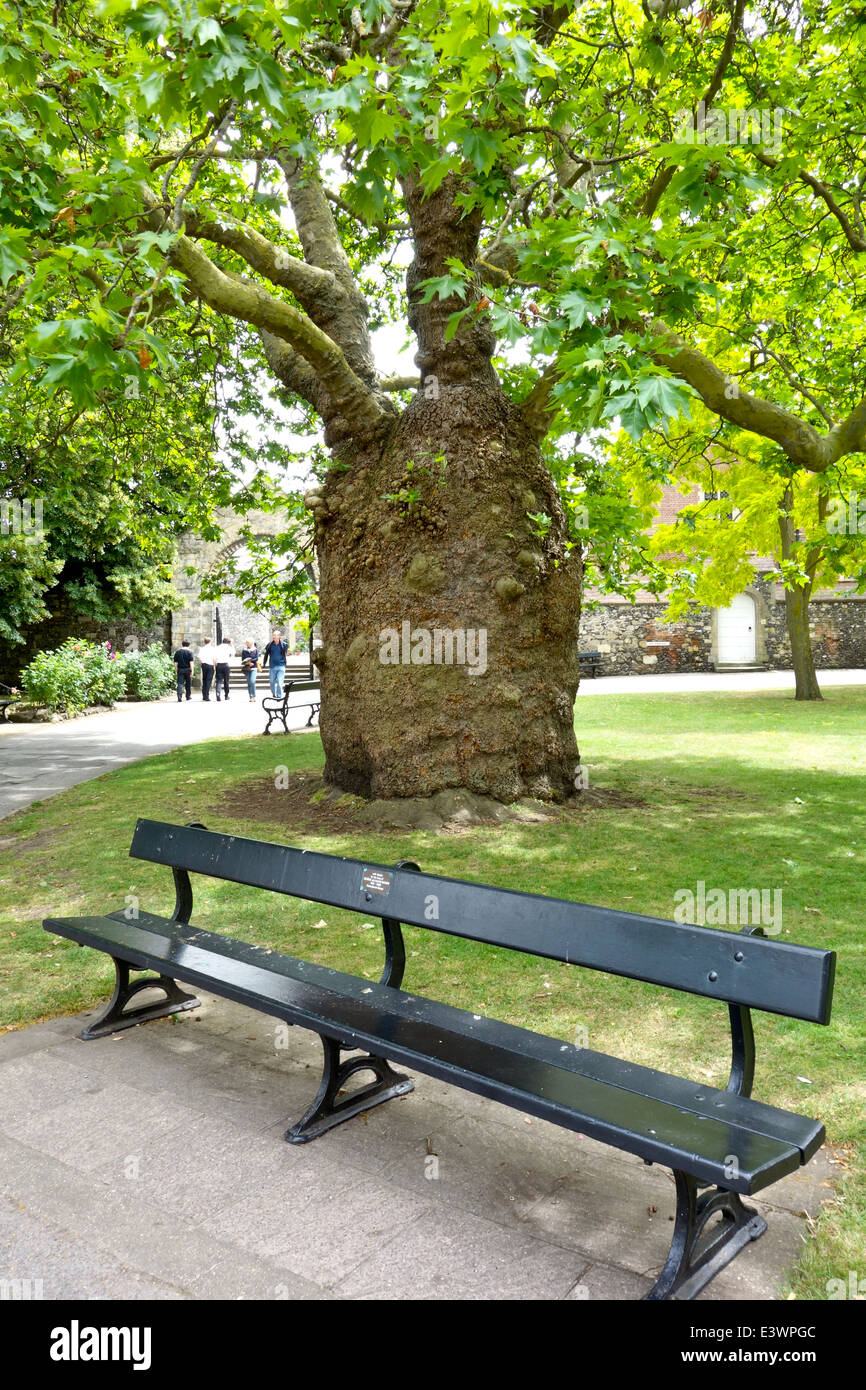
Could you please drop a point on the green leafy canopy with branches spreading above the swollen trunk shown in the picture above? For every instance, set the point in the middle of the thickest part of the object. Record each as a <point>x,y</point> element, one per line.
<point>154,154</point>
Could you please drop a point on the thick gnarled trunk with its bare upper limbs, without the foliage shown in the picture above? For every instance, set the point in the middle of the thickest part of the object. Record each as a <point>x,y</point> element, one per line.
<point>425,522</point>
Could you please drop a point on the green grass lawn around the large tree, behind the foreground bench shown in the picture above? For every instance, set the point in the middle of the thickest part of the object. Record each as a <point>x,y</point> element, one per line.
<point>737,790</point>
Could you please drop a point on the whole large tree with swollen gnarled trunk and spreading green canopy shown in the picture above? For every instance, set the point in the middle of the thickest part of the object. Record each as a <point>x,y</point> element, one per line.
<point>571,255</point>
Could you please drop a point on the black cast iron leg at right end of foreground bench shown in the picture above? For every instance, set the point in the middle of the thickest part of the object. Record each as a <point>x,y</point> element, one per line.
<point>693,1261</point>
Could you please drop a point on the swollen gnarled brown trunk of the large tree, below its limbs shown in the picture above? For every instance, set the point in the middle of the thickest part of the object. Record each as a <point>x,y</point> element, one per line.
<point>461,557</point>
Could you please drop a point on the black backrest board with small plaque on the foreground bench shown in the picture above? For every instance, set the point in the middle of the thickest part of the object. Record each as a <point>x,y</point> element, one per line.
<point>757,972</point>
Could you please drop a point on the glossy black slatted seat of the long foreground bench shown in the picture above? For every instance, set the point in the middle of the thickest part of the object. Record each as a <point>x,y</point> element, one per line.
<point>500,1061</point>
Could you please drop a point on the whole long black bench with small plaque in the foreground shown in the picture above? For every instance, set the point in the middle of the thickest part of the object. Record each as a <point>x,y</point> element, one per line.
<point>719,1143</point>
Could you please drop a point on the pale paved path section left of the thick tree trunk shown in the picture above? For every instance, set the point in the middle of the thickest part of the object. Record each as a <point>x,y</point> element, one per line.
<point>38,761</point>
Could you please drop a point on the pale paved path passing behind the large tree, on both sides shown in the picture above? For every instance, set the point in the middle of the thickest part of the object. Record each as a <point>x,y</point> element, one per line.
<point>38,761</point>
